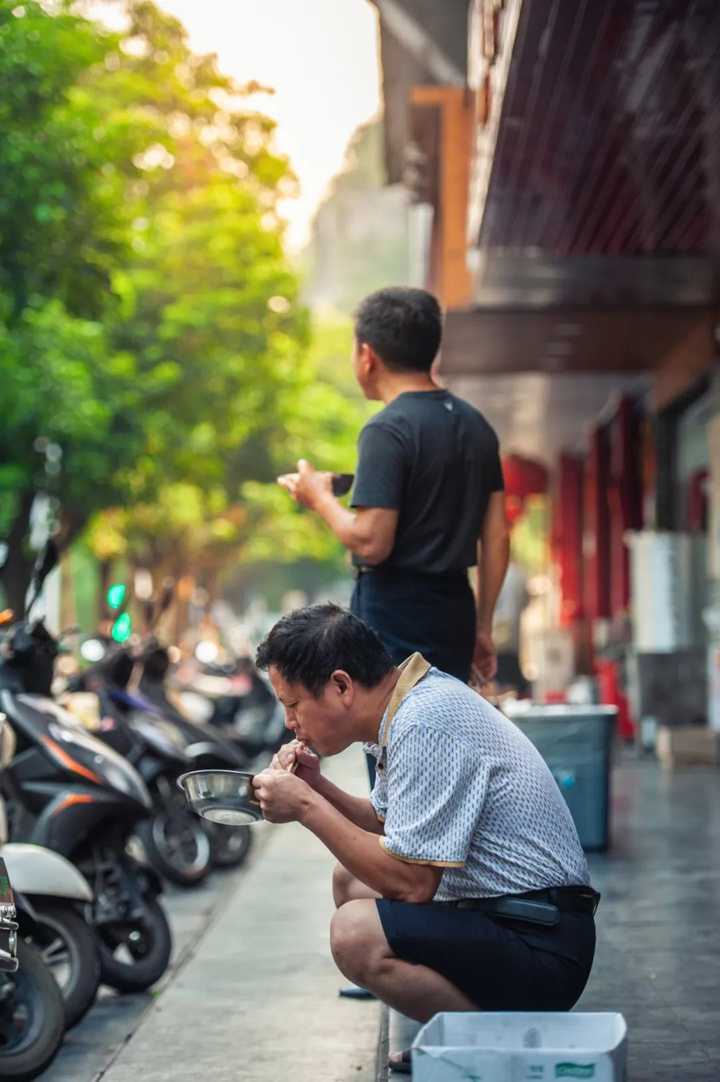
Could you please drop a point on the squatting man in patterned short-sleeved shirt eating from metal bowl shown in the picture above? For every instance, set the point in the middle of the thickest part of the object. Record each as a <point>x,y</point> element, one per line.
<point>461,885</point>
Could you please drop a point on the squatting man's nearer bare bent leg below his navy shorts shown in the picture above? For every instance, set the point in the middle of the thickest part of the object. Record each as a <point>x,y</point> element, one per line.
<point>363,954</point>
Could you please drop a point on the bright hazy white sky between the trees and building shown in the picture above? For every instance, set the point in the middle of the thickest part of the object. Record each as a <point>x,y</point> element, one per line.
<point>320,56</point>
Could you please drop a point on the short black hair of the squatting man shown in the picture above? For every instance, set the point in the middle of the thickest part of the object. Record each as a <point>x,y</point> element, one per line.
<point>307,646</point>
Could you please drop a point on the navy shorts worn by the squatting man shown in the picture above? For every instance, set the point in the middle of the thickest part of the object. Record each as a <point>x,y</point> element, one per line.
<point>500,965</point>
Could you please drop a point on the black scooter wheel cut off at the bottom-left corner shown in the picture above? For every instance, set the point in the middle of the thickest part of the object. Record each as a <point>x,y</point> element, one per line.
<point>32,1018</point>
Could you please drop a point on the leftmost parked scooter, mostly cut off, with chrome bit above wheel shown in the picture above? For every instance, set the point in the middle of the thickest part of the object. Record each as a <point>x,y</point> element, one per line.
<point>32,1012</point>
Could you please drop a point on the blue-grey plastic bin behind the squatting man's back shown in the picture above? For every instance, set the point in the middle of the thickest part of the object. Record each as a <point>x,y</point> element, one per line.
<point>577,744</point>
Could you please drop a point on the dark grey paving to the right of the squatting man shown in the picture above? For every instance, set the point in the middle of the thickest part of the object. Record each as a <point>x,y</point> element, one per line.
<point>659,947</point>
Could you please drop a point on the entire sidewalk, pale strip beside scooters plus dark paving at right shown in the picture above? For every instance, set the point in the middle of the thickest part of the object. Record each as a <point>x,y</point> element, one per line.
<point>257,1000</point>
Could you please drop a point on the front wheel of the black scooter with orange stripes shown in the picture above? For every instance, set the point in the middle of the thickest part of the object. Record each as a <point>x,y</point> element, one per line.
<point>135,954</point>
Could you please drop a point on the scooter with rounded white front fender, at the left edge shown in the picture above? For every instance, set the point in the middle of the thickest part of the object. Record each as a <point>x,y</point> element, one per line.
<point>51,900</point>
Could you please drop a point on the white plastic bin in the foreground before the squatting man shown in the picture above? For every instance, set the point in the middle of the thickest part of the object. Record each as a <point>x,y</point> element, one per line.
<point>521,1048</point>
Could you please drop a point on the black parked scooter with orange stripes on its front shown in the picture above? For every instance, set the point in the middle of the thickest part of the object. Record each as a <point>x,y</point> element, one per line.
<point>72,794</point>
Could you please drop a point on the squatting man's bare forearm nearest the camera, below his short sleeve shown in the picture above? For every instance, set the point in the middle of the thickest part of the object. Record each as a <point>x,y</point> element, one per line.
<point>360,853</point>
